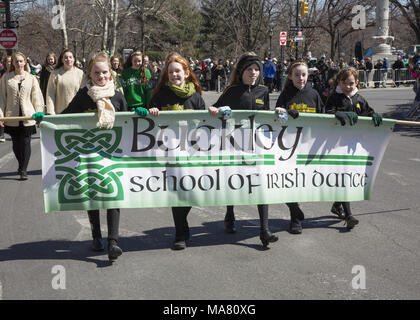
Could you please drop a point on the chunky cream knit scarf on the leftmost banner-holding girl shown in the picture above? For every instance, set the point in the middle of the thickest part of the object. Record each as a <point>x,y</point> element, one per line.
<point>101,96</point>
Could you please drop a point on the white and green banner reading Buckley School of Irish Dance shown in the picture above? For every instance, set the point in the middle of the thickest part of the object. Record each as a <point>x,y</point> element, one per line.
<point>194,159</point>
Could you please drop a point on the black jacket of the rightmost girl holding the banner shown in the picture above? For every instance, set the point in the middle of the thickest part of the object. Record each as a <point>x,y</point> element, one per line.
<point>340,102</point>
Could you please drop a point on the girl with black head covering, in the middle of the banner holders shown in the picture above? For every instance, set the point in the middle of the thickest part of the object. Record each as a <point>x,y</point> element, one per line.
<point>245,92</point>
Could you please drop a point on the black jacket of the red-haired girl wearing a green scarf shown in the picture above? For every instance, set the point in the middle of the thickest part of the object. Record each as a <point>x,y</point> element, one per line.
<point>165,99</point>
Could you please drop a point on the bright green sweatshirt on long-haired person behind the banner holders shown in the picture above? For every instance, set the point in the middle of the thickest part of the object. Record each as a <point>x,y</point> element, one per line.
<point>136,95</point>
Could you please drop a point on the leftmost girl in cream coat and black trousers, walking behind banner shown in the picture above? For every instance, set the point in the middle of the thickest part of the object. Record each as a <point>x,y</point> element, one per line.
<point>20,95</point>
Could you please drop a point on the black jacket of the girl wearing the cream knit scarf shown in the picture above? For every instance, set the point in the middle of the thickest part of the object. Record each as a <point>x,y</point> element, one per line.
<point>83,103</point>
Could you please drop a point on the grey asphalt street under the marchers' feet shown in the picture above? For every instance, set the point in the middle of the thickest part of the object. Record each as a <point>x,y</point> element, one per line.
<point>319,264</point>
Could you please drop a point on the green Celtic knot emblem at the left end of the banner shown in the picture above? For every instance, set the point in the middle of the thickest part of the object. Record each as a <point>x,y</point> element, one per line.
<point>90,180</point>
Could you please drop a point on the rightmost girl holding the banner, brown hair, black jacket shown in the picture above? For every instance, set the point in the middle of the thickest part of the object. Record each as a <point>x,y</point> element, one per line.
<point>347,104</point>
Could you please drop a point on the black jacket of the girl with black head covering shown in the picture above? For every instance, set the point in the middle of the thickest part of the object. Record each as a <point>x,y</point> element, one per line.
<point>243,97</point>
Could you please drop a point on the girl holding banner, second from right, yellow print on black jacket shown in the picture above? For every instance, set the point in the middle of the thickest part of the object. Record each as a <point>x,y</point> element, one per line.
<point>298,96</point>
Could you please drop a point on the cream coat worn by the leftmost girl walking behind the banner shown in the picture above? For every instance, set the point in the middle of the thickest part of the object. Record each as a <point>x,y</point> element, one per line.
<point>29,98</point>
